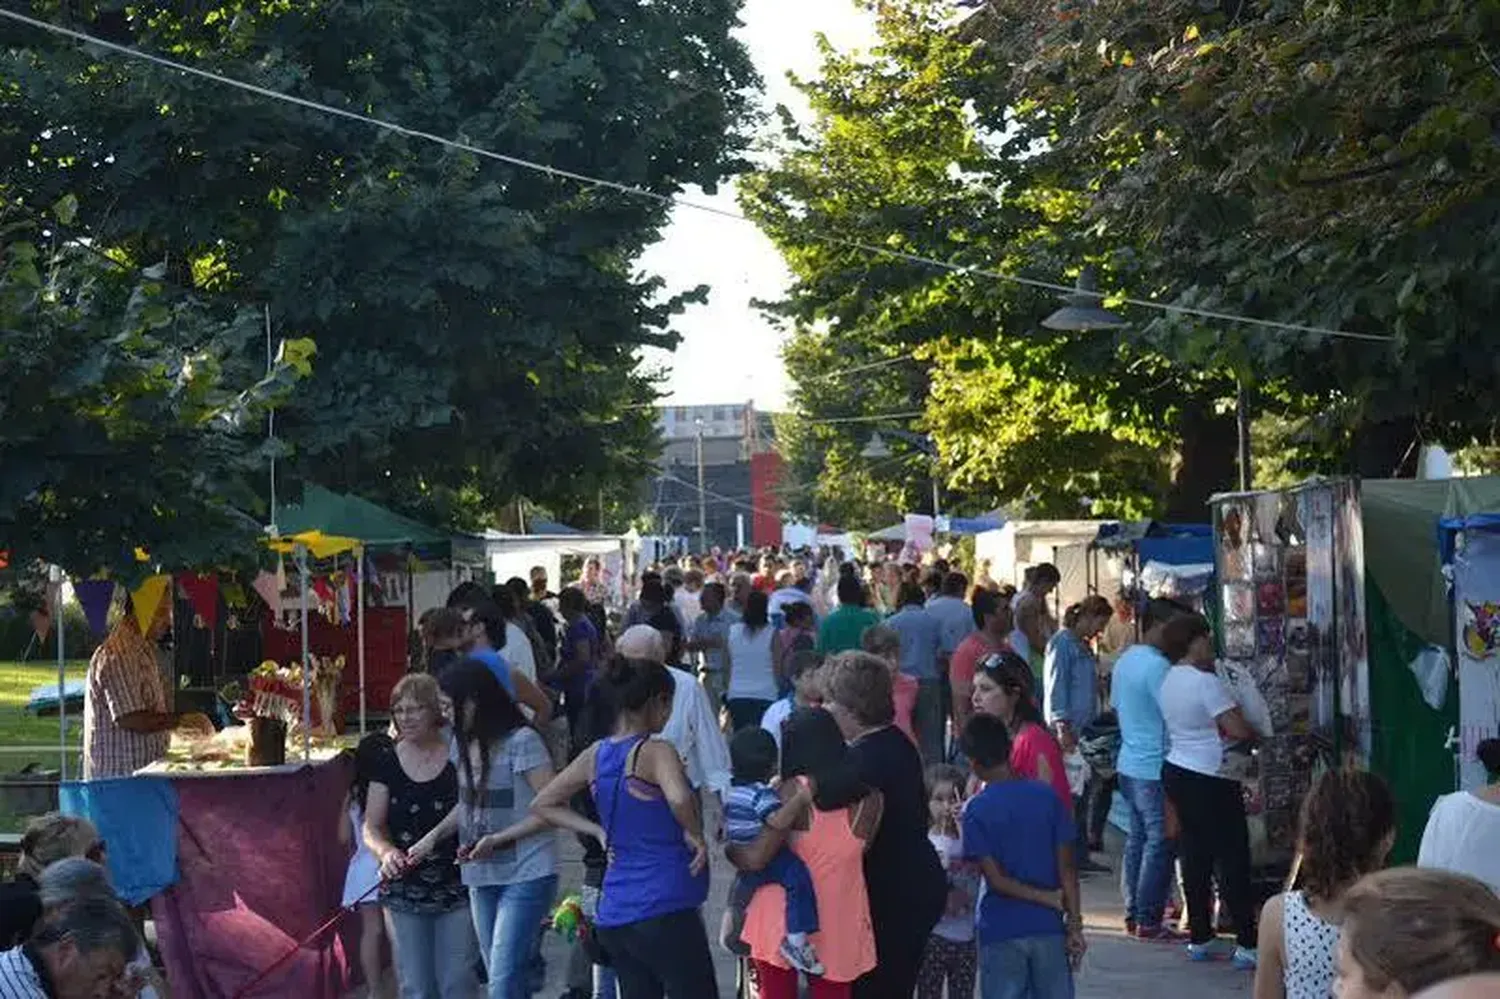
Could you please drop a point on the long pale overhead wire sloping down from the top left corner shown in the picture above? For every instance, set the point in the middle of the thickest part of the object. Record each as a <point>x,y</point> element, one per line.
<point>674,202</point>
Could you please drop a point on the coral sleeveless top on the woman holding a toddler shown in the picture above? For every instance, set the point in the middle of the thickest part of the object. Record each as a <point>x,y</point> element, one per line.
<point>835,857</point>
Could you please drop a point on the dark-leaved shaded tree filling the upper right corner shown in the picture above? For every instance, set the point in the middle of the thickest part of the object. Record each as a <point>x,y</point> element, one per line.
<point>1318,164</point>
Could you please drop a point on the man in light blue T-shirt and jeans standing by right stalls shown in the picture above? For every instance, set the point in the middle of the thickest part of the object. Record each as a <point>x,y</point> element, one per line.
<point>1135,695</point>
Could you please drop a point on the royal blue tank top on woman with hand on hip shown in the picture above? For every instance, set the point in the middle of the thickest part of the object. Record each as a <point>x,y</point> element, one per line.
<point>649,859</point>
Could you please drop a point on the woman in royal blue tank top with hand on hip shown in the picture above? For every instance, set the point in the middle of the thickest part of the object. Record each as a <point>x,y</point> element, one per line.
<point>650,920</point>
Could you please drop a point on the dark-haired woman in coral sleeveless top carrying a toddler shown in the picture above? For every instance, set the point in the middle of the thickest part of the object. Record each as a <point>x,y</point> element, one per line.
<point>832,841</point>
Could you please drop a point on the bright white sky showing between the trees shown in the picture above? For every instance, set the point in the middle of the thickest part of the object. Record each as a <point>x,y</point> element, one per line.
<point>730,352</point>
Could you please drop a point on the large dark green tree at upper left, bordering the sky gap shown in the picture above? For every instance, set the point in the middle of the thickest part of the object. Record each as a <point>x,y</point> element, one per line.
<point>478,323</point>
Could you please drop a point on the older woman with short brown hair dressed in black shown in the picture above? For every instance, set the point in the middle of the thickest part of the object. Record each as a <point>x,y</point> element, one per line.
<point>902,872</point>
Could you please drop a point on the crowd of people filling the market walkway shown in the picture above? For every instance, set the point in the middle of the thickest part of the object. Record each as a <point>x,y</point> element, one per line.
<point>908,773</point>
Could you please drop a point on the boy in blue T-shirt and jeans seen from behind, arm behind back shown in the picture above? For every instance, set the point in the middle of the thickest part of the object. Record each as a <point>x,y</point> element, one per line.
<point>1018,832</point>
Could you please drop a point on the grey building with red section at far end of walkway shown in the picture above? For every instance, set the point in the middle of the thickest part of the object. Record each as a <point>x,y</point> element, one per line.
<point>740,473</point>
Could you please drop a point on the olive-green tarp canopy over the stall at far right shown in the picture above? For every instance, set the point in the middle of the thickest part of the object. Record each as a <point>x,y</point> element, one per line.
<point>1402,553</point>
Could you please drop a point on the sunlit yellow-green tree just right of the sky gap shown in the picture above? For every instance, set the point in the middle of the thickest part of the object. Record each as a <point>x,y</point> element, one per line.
<point>898,161</point>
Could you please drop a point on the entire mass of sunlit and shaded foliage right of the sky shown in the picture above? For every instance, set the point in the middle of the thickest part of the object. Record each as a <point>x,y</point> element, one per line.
<point>1313,164</point>
